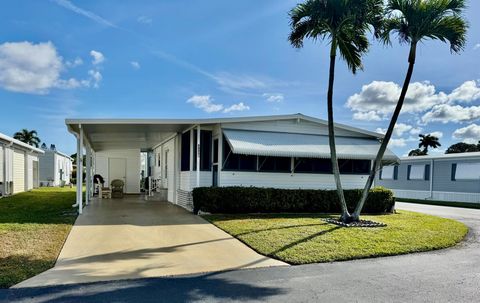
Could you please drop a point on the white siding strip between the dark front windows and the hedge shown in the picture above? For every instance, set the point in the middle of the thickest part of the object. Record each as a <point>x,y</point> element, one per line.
<point>291,181</point>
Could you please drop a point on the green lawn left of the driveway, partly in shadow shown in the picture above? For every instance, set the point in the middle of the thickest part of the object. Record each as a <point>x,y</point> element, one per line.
<point>33,228</point>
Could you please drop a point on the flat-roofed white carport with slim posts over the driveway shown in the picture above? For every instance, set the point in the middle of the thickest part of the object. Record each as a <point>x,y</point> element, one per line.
<point>105,141</point>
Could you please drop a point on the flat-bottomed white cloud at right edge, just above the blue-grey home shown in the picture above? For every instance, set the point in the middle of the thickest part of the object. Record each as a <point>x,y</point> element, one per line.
<point>446,113</point>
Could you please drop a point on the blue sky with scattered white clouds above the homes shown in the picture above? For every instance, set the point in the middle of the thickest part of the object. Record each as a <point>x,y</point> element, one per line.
<point>171,59</point>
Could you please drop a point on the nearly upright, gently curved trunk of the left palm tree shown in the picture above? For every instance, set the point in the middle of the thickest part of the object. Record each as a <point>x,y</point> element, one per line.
<point>345,217</point>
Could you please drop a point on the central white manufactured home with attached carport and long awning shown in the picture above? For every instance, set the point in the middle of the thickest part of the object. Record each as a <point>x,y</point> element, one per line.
<point>285,151</point>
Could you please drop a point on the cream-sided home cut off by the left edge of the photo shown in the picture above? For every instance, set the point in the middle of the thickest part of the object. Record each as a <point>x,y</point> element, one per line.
<point>19,168</point>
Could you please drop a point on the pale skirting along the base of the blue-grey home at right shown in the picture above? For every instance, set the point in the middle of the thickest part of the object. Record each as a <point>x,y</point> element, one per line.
<point>437,195</point>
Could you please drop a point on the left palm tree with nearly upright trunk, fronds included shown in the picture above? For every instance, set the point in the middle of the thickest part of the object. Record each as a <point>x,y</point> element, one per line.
<point>344,23</point>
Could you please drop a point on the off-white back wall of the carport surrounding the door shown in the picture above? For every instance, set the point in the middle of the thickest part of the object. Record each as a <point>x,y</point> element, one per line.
<point>133,167</point>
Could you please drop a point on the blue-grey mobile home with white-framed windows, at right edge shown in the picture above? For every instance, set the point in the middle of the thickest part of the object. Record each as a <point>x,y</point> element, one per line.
<point>448,177</point>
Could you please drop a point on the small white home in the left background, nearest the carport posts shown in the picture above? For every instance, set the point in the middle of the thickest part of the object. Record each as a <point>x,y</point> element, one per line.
<point>55,167</point>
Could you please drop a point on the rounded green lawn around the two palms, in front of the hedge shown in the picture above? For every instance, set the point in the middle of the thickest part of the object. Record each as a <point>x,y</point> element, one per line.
<point>305,238</point>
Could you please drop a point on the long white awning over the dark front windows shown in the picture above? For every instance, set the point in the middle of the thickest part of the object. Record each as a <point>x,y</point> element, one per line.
<point>276,144</point>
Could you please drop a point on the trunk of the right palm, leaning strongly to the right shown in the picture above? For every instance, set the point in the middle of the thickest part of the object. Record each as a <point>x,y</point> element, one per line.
<point>388,135</point>
